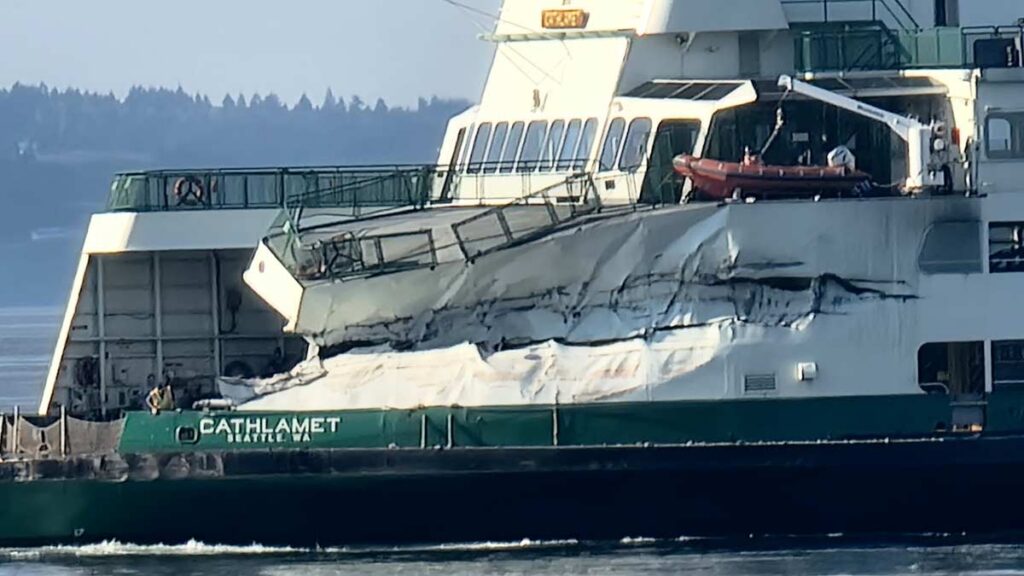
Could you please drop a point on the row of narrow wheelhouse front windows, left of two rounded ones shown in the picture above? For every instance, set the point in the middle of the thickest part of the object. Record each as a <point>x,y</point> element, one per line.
<point>539,147</point>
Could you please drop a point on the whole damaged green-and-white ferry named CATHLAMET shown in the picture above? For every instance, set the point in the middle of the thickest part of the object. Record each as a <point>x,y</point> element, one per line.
<point>629,300</point>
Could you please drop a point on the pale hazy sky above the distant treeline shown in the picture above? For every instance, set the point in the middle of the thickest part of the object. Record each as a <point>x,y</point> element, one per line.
<point>399,50</point>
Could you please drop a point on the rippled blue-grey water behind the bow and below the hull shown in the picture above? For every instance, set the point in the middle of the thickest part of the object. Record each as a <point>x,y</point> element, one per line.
<point>27,338</point>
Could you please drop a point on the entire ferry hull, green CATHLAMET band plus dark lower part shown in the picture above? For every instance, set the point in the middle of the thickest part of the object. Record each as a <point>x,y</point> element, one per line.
<point>667,470</point>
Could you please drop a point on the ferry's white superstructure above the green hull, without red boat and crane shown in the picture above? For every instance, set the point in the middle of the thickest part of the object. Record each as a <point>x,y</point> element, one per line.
<point>554,216</point>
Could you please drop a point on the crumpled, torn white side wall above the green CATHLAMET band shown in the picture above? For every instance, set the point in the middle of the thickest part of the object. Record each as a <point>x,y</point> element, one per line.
<point>670,304</point>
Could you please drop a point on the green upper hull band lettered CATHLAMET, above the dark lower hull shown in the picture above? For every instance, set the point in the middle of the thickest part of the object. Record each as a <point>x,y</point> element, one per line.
<point>605,425</point>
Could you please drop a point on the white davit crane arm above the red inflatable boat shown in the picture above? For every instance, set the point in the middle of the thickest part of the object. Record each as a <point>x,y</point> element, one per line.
<point>922,140</point>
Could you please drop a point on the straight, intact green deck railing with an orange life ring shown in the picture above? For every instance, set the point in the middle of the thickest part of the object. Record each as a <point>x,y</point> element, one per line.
<point>358,189</point>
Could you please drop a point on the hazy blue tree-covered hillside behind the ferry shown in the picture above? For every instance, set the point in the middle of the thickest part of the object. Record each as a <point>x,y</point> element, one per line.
<point>60,149</point>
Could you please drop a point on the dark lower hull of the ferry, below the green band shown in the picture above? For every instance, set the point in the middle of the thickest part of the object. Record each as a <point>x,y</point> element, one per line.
<point>326,499</point>
